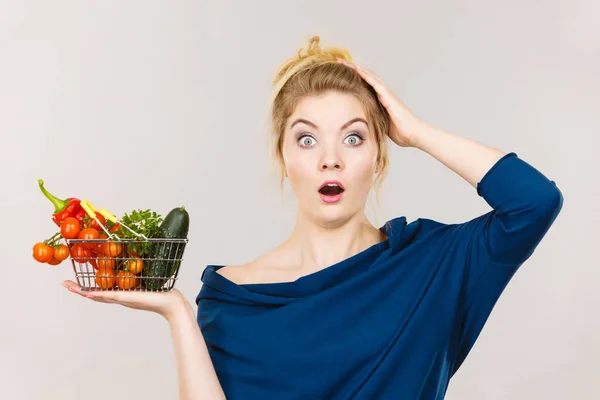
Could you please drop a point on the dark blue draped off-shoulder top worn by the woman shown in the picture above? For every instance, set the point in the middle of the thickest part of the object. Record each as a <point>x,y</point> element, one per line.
<point>394,321</point>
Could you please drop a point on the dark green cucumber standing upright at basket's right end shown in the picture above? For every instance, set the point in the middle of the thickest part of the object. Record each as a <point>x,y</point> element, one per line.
<point>162,265</point>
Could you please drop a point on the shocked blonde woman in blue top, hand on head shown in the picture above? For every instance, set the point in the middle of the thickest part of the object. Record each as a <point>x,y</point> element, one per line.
<point>343,309</point>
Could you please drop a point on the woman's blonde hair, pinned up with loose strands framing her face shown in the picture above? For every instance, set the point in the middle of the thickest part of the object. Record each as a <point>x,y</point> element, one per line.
<point>312,72</point>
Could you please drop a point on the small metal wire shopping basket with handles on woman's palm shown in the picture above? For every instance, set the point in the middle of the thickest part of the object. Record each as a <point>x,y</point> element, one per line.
<point>113,263</point>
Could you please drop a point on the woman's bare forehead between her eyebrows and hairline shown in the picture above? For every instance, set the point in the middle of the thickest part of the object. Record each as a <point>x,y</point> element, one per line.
<point>328,110</point>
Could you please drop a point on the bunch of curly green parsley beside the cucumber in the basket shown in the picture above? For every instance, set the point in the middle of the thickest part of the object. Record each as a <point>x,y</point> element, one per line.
<point>146,222</point>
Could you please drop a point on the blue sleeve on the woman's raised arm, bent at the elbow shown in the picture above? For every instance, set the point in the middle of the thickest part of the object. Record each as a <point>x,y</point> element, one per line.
<point>525,204</point>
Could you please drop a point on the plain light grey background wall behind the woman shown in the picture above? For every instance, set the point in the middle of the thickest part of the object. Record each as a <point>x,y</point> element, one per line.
<point>157,104</point>
